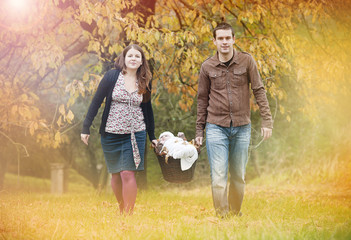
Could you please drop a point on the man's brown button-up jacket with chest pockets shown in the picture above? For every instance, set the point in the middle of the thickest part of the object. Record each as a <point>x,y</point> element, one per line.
<point>224,94</point>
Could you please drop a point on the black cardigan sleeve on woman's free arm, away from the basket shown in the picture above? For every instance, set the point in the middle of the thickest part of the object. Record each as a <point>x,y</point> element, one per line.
<point>95,104</point>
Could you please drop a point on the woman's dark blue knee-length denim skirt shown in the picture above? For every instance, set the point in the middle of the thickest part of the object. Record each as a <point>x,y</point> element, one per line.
<point>118,151</point>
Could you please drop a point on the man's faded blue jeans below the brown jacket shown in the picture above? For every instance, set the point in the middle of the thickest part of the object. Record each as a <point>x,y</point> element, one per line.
<point>227,147</point>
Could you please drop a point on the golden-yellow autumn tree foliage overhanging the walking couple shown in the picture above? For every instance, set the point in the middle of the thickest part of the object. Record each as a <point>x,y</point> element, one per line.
<point>47,42</point>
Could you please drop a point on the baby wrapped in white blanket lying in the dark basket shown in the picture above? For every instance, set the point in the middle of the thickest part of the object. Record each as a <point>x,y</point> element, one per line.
<point>178,148</point>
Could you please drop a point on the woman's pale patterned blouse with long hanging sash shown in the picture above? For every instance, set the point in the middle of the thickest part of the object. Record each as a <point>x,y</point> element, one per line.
<point>125,114</point>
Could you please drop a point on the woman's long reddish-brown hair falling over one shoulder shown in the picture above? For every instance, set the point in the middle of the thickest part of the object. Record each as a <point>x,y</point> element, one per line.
<point>143,72</point>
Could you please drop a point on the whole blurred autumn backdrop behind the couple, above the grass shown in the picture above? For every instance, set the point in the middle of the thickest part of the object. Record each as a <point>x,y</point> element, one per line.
<point>54,53</point>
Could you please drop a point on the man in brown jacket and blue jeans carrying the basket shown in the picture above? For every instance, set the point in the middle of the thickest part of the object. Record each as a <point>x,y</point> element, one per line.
<point>223,108</point>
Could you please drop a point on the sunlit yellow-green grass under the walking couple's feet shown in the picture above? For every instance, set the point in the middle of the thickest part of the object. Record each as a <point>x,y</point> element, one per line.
<point>271,211</point>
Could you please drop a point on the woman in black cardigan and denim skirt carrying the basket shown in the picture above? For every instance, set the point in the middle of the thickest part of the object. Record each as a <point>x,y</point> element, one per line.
<point>127,114</point>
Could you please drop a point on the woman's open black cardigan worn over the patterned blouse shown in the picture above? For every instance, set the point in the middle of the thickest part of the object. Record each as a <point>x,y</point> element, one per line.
<point>105,90</point>
